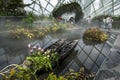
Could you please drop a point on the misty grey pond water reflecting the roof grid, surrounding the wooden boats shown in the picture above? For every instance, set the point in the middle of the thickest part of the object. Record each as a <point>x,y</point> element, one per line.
<point>88,56</point>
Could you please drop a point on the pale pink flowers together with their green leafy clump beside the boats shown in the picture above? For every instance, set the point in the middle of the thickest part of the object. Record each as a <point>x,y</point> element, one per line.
<point>42,59</point>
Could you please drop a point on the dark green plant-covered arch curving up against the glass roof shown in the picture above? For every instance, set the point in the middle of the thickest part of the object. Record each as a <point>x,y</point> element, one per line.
<point>67,8</point>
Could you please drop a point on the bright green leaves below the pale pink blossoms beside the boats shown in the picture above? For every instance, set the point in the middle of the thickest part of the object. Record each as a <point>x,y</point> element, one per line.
<point>42,61</point>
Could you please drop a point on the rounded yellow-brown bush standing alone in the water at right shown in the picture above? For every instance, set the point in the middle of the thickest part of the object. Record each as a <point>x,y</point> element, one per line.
<point>95,35</point>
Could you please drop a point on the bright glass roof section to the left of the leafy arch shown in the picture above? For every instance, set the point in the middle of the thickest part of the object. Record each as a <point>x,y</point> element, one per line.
<point>44,7</point>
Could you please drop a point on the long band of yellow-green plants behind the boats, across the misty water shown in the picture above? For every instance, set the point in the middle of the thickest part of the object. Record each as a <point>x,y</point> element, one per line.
<point>35,33</point>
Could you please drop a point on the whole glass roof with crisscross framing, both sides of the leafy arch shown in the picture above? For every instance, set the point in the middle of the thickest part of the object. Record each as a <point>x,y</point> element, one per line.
<point>89,7</point>
